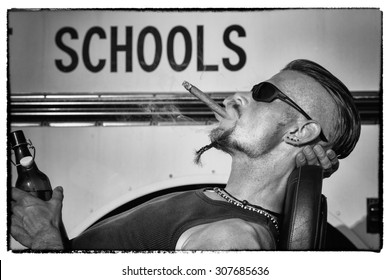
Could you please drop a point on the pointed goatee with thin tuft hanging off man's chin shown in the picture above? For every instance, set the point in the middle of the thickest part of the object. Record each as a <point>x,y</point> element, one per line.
<point>219,140</point>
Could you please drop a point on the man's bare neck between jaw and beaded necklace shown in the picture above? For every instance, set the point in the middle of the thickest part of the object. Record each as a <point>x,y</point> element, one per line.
<point>260,181</point>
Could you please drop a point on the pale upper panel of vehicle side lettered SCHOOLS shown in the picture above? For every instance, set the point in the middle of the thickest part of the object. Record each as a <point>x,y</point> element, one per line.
<point>154,51</point>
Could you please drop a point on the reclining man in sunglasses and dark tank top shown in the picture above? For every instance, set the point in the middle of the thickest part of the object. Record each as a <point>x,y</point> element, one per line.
<point>267,134</point>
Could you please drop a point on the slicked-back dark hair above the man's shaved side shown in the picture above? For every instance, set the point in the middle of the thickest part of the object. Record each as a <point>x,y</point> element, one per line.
<point>348,126</point>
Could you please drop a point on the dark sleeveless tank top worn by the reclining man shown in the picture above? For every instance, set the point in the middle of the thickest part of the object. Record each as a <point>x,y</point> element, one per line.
<point>158,224</point>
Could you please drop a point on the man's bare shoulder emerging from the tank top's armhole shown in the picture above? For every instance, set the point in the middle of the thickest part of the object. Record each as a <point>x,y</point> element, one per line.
<point>230,234</point>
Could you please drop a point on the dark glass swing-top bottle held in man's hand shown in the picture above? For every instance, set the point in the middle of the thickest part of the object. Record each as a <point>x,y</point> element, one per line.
<point>30,178</point>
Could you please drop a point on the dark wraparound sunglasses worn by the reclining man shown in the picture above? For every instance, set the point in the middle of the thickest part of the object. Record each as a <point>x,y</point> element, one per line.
<point>267,92</point>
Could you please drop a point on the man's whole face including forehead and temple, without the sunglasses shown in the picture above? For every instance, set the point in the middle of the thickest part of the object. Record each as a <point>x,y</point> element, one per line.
<point>255,128</point>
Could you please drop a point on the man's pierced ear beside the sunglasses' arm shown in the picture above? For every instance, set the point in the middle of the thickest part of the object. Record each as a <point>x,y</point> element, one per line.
<point>304,134</point>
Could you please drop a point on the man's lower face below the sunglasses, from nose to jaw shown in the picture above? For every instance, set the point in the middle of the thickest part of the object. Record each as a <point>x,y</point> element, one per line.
<point>254,128</point>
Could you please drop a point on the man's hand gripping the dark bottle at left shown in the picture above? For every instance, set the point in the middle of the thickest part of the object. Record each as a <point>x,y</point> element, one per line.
<point>36,223</point>
